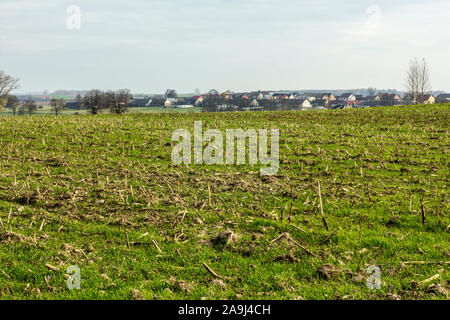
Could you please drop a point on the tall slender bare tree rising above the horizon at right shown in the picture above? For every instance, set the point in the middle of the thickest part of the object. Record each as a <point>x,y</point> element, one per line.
<point>418,80</point>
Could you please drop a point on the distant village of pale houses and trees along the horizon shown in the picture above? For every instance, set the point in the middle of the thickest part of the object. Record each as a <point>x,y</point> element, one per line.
<point>215,101</point>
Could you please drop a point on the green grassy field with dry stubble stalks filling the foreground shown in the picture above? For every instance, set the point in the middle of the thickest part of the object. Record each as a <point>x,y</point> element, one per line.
<point>101,192</point>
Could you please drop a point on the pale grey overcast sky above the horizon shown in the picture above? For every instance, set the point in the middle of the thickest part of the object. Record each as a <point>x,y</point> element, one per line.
<point>151,45</point>
